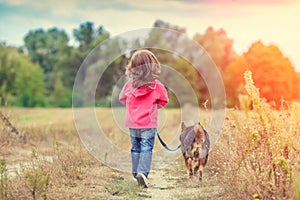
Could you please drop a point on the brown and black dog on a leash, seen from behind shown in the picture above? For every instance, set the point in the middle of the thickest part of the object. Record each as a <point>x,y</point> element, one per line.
<point>195,146</point>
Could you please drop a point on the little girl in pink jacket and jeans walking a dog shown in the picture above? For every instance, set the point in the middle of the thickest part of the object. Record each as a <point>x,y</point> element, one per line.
<point>143,95</point>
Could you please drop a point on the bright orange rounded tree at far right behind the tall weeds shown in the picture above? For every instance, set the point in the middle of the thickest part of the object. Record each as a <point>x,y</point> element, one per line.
<point>272,73</point>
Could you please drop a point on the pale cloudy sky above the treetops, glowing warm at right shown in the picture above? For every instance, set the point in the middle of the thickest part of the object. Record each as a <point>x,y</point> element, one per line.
<point>245,21</point>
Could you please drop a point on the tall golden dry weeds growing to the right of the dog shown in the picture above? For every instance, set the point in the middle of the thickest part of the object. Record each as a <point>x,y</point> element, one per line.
<point>261,147</point>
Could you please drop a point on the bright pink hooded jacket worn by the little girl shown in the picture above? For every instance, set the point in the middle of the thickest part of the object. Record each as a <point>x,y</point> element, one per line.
<point>142,104</point>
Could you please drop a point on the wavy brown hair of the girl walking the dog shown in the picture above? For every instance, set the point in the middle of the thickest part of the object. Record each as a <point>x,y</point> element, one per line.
<point>143,68</point>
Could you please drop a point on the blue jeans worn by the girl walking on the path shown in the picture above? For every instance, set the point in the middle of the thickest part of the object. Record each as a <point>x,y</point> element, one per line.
<point>142,141</point>
